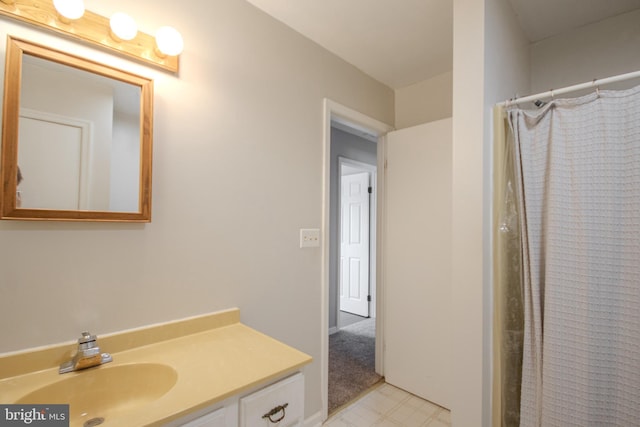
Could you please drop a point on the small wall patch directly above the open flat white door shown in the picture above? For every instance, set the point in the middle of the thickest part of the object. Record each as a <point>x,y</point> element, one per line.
<point>425,101</point>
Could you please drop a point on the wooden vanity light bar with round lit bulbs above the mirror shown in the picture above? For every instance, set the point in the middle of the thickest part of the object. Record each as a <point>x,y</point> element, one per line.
<point>89,27</point>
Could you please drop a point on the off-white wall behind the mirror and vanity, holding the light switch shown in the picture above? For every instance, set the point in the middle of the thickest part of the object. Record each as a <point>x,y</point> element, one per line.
<point>237,172</point>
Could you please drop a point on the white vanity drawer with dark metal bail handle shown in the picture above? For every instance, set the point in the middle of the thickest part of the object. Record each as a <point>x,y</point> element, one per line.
<point>280,404</point>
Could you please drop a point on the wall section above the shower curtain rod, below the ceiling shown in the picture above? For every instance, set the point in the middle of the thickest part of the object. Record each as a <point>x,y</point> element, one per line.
<point>599,50</point>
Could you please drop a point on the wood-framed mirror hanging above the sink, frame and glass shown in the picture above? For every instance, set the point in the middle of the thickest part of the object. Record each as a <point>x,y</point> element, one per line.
<point>76,138</point>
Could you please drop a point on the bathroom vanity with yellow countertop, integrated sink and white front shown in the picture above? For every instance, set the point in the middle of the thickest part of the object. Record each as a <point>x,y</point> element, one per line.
<point>204,371</point>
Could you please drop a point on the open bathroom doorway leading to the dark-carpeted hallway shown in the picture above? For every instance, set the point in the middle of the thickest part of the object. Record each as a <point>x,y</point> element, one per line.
<point>353,365</point>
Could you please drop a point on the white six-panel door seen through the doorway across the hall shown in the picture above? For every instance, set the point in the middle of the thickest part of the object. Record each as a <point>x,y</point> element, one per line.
<point>354,244</point>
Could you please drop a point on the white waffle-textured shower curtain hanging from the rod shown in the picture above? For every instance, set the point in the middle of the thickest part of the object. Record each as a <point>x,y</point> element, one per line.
<point>578,179</point>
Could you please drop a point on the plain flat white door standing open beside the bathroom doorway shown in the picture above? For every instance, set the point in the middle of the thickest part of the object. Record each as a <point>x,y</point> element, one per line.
<point>417,286</point>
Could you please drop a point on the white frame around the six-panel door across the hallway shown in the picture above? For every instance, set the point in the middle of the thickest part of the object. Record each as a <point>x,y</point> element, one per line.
<point>373,234</point>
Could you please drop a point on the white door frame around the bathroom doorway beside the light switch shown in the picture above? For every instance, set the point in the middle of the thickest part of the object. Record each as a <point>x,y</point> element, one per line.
<point>355,119</point>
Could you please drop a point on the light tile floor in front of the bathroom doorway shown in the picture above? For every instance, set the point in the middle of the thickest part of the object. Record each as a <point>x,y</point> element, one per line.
<point>388,406</point>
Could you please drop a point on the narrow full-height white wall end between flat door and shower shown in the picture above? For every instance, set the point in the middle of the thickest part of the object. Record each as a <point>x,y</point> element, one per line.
<point>467,244</point>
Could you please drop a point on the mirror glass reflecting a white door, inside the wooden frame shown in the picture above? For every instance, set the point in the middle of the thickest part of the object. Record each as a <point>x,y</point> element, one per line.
<point>78,139</point>
